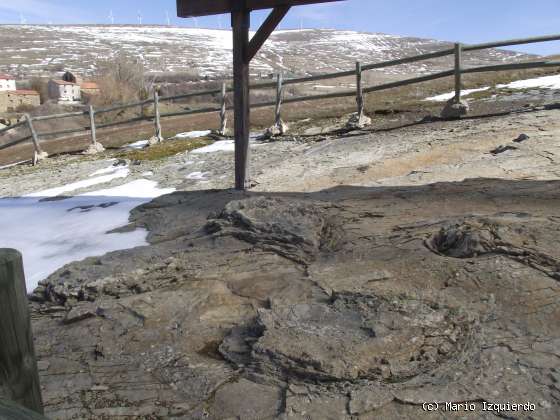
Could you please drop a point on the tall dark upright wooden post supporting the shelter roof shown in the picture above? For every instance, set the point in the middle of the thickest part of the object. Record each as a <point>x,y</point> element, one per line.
<point>240,19</point>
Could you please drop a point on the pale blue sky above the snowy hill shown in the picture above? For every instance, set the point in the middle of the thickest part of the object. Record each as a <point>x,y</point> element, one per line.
<point>466,21</point>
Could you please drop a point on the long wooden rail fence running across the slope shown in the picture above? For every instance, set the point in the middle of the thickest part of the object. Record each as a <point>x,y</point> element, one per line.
<point>458,71</point>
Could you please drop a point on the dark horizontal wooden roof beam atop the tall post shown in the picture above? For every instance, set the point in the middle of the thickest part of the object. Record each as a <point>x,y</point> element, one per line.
<point>194,8</point>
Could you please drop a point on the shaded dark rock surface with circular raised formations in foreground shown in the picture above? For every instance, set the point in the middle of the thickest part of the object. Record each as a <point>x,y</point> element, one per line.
<point>306,306</point>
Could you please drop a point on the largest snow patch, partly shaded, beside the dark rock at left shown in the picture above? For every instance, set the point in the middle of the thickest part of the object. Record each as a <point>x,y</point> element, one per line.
<point>51,234</point>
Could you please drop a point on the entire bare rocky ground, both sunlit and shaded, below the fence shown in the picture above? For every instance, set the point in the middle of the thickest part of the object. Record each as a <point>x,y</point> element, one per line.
<point>365,274</point>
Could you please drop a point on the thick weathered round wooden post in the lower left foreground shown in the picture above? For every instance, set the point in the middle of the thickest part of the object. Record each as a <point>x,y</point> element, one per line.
<point>19,378</point>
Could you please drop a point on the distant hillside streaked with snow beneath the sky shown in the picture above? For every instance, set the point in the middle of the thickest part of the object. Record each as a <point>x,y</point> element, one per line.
<point>43,50</point>
